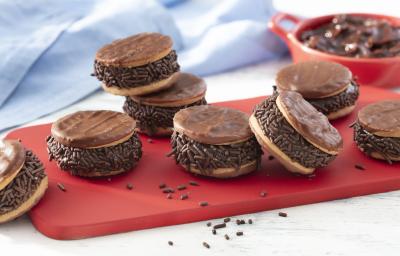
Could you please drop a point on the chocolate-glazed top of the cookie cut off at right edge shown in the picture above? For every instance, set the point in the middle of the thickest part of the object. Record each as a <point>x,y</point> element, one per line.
<point>383,116</point>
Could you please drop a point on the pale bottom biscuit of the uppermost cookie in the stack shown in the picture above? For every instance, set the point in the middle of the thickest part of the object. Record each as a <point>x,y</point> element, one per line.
<point>141,90</point>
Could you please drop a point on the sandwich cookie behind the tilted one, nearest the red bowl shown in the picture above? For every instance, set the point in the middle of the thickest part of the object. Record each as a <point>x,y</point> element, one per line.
<point>328,86</point>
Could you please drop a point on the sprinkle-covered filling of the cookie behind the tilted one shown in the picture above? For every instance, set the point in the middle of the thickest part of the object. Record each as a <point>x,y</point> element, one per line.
<point>337,102</point>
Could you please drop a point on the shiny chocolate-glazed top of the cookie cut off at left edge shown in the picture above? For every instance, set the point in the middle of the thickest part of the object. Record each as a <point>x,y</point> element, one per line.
<point>12,157</point>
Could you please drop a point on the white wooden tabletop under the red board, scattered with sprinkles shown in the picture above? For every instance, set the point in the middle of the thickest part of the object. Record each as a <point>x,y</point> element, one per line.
<point>368,225</point>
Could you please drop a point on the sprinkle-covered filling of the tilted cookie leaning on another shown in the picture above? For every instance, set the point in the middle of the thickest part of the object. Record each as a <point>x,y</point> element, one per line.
<point>286,138</point>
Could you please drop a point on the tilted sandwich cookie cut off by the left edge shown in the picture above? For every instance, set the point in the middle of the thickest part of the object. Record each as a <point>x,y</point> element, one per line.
<point>23,180</point>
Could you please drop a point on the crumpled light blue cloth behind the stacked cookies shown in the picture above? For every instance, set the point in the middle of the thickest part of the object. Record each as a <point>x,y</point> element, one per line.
<point>47,47</point>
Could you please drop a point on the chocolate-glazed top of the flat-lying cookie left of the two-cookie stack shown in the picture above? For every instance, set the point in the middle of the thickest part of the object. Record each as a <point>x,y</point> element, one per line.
<point>87,129</point>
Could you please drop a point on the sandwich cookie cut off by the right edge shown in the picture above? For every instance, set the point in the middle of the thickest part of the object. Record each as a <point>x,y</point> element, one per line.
<point>377,130</point>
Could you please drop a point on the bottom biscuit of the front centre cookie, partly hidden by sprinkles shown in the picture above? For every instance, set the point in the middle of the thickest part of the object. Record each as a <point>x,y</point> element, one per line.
<point>225,173</point>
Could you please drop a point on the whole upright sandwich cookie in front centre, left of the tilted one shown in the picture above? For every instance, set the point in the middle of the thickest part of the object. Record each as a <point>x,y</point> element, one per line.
<point>214,141</point>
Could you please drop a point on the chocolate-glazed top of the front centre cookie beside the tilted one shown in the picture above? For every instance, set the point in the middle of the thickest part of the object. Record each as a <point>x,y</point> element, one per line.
<point>213,125</point>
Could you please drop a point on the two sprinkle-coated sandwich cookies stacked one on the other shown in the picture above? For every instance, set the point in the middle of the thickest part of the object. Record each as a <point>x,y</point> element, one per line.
<point>144,68</point>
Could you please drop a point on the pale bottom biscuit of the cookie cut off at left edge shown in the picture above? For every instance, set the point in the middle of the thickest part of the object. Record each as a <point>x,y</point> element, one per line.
<point>28,204</point>
